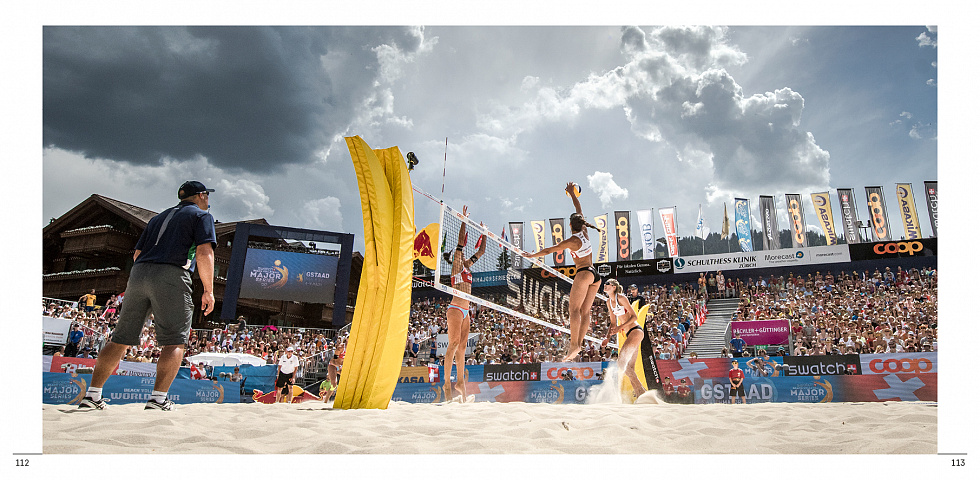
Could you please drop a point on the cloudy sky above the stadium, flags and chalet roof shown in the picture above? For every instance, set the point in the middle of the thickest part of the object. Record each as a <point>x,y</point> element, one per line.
<point>641,116</point>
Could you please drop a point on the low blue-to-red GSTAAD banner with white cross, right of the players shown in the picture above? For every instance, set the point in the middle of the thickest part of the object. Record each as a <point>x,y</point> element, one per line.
<point>823,389</point>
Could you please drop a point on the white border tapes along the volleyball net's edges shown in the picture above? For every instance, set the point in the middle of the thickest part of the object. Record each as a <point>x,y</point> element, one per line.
<point>448,212</point>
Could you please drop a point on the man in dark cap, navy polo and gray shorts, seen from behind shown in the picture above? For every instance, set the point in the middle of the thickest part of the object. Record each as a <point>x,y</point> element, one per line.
<point>160,283</point>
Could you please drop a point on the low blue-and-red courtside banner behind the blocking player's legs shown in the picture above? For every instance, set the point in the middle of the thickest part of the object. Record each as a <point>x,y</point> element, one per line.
<point>555,392</point>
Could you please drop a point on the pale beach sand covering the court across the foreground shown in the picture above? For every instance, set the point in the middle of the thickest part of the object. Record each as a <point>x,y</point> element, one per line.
<point>496,428</point>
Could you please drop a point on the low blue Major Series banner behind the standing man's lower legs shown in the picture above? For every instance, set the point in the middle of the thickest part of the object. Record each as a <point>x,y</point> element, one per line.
<point>65,388</point>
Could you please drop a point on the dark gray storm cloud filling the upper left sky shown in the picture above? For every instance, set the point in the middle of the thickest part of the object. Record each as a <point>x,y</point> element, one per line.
<point>253,98</point>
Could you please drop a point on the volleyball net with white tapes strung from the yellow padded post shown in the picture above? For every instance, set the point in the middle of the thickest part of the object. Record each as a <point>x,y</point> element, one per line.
<point>503,279</point>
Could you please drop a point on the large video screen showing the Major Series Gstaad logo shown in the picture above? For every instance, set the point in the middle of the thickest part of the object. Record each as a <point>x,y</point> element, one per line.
<point>289,276</point>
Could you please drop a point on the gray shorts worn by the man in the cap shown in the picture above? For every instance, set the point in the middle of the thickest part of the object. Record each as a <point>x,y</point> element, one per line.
<point>165,291</point>
